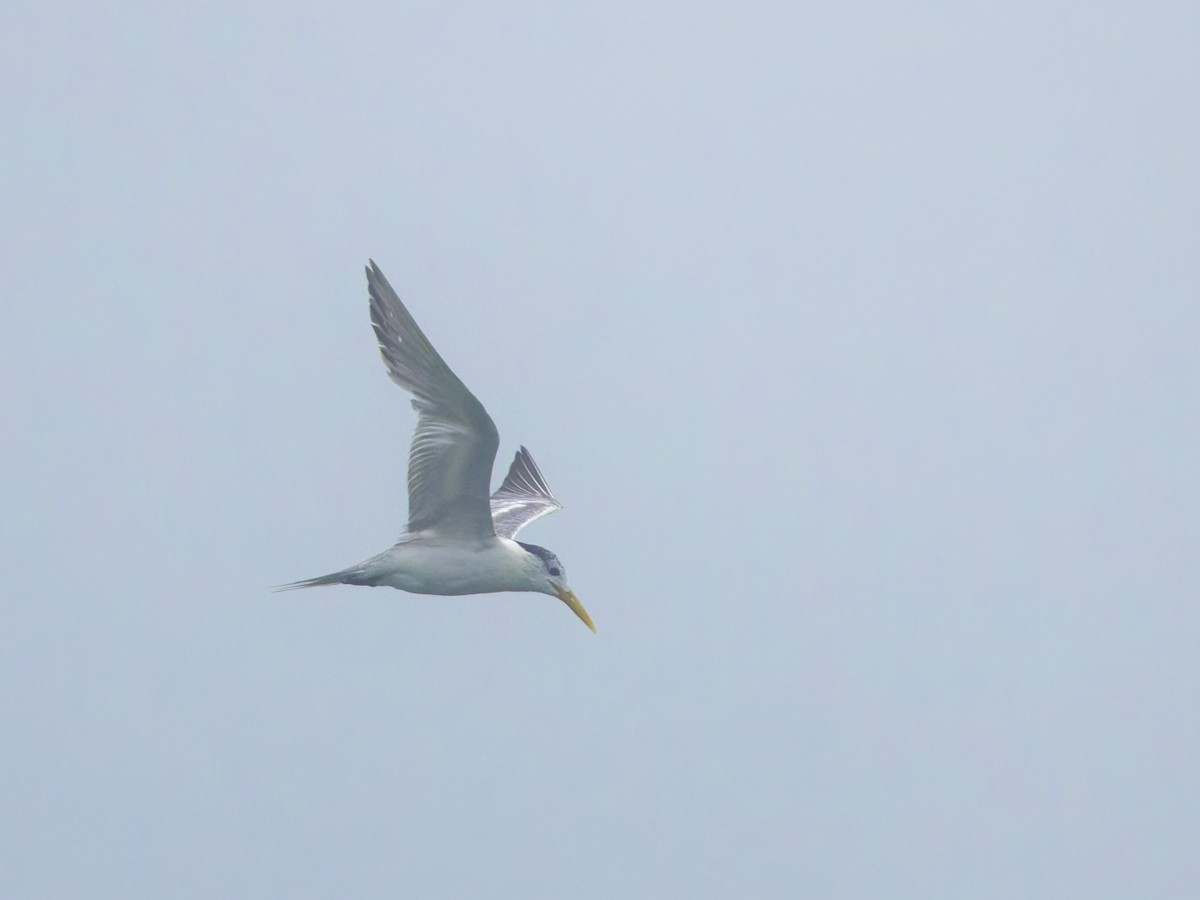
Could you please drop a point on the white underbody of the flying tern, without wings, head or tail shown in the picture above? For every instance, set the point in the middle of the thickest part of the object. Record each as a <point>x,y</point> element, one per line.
<point>429,565</point>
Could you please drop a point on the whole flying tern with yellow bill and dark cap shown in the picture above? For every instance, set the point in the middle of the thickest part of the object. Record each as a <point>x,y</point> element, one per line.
<point>459,541</point>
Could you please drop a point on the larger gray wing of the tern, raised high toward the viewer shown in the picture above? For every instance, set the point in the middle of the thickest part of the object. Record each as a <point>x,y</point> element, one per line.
<point>451,463</point>
